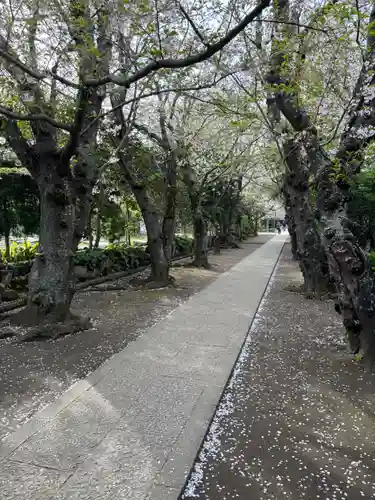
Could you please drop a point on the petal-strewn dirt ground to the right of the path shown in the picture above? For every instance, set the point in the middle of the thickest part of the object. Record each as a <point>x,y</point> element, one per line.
<point>297,419</point>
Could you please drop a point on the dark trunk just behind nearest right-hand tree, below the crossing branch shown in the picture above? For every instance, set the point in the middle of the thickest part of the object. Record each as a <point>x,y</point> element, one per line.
<point>310,252</point>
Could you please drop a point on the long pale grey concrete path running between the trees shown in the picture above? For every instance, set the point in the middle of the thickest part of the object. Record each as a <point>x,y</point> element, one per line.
<point>131,430</point>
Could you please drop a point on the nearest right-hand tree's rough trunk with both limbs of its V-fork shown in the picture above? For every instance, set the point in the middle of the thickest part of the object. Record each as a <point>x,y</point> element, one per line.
<point>348,263</point>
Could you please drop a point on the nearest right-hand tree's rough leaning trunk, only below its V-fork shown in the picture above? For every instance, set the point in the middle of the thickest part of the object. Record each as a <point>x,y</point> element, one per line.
<point>349,266</point>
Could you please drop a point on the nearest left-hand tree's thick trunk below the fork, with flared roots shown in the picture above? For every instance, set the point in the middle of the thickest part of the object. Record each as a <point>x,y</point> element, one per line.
<point>51,280</point>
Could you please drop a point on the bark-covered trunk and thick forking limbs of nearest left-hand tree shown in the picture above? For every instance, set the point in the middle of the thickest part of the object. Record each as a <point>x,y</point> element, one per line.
<point>65,175</point>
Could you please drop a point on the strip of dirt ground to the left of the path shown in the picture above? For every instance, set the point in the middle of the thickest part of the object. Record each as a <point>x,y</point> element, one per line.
<point>34,374</point>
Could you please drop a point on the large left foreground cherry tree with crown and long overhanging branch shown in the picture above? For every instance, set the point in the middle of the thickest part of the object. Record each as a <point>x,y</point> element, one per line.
<point>59,62</point>
